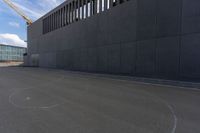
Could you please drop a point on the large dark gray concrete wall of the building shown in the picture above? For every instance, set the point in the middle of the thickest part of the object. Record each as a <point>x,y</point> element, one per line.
<point>148,38</point>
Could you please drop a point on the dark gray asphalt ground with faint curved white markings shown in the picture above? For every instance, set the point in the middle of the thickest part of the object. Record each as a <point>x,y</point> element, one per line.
<point>34,100</point>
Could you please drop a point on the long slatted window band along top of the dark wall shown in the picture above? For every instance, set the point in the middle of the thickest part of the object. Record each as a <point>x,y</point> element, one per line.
<point>75,11</point>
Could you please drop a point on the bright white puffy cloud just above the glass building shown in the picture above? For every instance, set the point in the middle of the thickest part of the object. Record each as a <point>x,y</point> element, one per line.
<point>12,39</point>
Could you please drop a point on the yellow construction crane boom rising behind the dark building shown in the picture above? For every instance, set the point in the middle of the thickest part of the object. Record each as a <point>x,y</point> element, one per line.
<point>15,8</point>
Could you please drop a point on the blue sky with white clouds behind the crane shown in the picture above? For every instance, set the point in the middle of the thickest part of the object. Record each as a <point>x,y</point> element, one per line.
<point>13,27</point>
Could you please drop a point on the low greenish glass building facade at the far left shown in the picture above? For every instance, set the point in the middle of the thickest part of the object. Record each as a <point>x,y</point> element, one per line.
<point>11,53</point>
